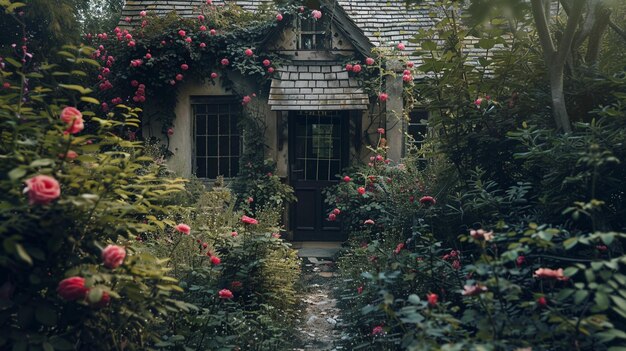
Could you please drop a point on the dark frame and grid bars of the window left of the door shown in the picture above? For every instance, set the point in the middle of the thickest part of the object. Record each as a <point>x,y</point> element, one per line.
<point>215,100</point>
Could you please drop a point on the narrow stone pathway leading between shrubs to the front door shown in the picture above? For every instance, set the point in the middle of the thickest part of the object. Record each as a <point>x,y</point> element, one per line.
<point>319,326</point>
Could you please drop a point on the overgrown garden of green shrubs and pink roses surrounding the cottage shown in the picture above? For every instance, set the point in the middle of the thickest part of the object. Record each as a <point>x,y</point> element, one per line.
<point>505,230</point>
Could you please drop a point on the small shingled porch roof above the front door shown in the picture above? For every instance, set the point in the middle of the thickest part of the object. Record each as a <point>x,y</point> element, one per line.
<point>315,86</point>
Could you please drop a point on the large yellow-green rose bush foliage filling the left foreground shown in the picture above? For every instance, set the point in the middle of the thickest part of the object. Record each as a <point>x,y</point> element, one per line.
<point>109,193</point>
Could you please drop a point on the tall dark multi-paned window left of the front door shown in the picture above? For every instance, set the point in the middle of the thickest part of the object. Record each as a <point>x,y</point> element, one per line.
<point>217,139</point>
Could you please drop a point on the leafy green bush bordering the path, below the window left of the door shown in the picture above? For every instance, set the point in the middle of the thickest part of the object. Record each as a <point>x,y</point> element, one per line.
<point>258,267</point>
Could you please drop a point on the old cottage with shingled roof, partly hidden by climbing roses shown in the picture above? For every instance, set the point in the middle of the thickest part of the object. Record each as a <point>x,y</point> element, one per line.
<point>319,117</point>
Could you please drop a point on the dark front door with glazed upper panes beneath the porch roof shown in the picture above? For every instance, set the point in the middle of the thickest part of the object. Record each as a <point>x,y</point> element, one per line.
<point>318,150</point>
